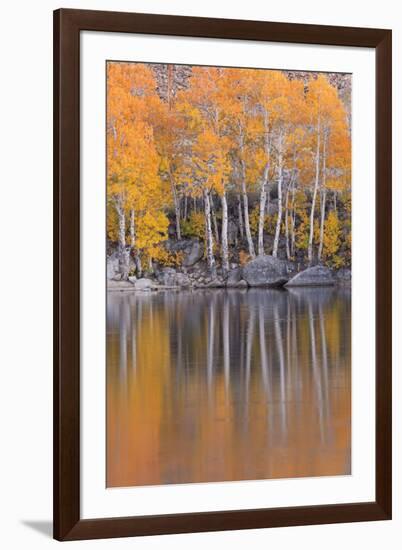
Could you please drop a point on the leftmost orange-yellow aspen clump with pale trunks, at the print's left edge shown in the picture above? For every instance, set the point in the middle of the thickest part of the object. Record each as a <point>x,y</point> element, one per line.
<point>134,186</point>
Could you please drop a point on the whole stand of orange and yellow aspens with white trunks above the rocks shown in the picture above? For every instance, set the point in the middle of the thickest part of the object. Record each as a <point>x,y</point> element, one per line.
<point>273,152</point>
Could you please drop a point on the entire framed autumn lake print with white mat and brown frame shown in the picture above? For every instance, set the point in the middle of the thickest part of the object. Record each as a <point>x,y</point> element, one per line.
<point>222,346</point>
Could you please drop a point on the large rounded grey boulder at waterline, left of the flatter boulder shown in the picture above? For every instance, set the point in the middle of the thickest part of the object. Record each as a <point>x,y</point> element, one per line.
<point>266,271</point>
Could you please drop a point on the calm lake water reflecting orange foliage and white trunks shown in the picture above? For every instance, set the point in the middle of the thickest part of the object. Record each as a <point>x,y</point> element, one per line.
<point>221,385</point>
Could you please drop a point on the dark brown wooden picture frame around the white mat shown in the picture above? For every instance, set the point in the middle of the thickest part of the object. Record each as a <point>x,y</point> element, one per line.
<point>67,26</point>
